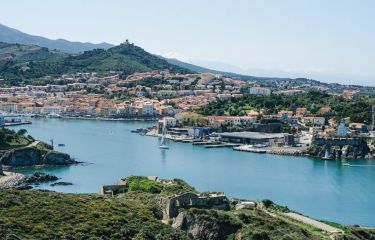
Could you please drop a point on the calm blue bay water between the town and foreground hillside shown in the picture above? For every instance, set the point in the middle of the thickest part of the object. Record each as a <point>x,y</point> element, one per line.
<point>321,189</point>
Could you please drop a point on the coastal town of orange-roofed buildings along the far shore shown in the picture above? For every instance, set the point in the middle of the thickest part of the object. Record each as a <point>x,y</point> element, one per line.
<point>175,99</point>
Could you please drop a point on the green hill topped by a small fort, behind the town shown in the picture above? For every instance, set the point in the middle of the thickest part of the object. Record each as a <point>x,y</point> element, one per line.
<point>26,63</point>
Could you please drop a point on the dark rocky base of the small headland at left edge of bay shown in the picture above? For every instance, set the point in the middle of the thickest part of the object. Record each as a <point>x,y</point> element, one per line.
<point>31,156</point>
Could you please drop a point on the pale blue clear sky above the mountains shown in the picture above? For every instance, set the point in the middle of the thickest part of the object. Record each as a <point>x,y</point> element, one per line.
<point>331,41</point>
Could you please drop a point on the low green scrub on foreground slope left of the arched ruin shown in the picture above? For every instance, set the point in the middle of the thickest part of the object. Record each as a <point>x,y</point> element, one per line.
<point>49,215</point>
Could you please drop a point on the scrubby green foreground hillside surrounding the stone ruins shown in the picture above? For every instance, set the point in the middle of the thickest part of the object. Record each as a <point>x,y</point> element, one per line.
<point>137,214</point>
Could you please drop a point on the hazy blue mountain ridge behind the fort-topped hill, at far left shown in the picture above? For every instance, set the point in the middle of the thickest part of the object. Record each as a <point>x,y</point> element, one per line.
<point>10,35</point>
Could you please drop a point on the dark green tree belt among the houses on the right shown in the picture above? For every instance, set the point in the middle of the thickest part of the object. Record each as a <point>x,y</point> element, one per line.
<point>358,108</point>
